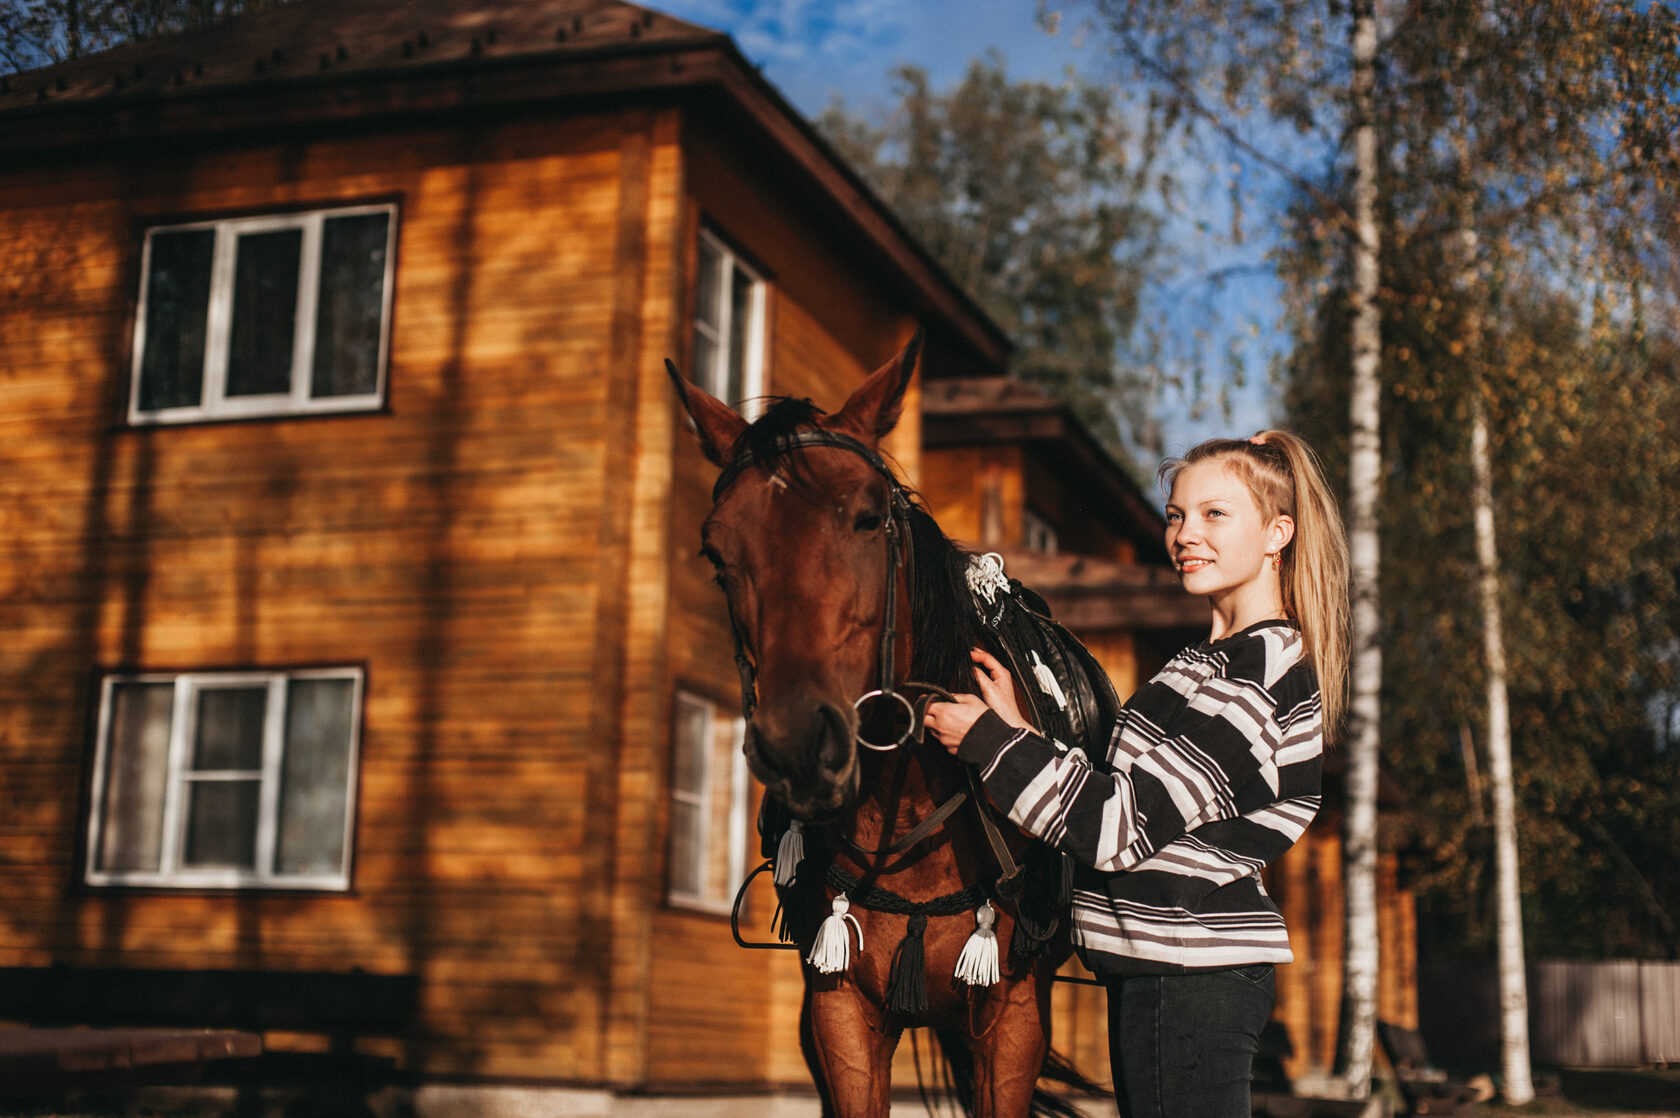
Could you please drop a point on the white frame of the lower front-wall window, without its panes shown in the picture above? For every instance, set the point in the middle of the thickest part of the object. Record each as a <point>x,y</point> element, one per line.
<point>171,872</point>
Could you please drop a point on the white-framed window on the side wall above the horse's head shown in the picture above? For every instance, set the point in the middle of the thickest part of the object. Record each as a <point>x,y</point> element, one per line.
<point>728,325</point>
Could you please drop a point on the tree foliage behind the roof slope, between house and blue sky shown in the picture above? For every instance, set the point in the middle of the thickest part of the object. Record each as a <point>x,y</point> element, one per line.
<point>1029,196</point>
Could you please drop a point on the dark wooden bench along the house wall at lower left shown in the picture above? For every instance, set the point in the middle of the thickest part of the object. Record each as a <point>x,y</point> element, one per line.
<point>123,1026</point>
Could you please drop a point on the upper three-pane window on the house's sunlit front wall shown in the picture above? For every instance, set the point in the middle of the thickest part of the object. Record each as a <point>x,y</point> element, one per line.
<point>278,315</point>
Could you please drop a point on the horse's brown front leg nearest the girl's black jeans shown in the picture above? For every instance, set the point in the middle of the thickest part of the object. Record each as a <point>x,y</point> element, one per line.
<point>1009,1040</point>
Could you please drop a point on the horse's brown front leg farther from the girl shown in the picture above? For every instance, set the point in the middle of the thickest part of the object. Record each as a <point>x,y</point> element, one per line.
<point>853,1048</point>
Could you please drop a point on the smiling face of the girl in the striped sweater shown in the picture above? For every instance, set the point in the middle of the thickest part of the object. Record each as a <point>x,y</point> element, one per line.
<point>1217,535</point>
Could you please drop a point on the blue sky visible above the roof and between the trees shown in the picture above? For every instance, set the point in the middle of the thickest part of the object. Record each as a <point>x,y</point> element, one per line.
<point>819,50</point>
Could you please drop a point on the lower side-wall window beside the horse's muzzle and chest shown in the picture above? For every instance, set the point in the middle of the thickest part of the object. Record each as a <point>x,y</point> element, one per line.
<point>708,806</point>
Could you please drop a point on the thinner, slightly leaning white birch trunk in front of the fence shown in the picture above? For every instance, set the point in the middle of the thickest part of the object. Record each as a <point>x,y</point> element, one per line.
<point>1513,981</point>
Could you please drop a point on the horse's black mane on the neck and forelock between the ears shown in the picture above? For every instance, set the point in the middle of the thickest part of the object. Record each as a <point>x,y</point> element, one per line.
<point>943,620</point>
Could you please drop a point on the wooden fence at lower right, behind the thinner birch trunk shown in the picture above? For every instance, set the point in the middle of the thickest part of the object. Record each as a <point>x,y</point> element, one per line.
<point>1612,1015</point>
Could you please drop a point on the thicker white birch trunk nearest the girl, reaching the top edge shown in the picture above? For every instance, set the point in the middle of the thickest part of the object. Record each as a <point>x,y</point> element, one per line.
<point>1365,465</point>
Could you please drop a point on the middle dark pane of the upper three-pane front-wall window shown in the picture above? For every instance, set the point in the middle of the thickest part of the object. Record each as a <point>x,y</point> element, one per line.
<point>260,357</point>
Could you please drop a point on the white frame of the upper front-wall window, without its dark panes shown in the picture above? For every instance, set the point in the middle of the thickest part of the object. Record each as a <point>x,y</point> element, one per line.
<point>214,403</point>
